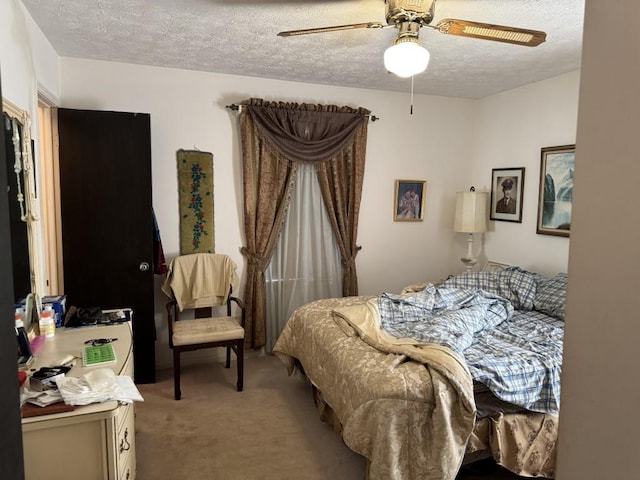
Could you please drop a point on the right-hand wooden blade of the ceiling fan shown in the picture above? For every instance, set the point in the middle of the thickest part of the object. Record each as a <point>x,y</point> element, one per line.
<point>488,31</point>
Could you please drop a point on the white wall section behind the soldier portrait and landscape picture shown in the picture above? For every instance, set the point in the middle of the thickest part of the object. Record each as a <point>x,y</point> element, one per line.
<point>512,127</point>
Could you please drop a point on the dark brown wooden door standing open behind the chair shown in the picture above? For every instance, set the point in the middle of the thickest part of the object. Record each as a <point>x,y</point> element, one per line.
<point>107,219</point>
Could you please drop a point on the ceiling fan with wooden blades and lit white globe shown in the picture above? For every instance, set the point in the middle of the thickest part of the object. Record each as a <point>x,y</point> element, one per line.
<point>407,57</point>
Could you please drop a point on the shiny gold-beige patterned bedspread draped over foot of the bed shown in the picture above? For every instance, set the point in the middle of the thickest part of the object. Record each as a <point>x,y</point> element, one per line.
<point>408,409</point>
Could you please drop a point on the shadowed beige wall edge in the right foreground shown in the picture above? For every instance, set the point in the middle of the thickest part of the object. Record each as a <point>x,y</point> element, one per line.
<point>600,383</point>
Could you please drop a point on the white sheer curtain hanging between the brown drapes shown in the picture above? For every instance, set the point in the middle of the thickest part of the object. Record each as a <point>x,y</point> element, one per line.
<point>306,263</point>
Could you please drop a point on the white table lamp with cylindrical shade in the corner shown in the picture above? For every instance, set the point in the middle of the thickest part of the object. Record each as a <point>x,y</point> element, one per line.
<point>471,217</point>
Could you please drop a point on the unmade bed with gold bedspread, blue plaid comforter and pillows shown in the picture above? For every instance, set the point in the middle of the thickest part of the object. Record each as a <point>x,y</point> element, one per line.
<point>440,375</point>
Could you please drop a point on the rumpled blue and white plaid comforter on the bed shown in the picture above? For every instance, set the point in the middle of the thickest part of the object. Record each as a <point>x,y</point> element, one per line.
<point>517,354</point>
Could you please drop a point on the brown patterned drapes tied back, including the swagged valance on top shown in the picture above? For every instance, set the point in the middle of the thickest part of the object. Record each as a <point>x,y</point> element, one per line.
<point>275,136</point>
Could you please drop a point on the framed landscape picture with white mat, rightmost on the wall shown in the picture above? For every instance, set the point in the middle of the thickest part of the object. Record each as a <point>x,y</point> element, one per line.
<point>555,195</point>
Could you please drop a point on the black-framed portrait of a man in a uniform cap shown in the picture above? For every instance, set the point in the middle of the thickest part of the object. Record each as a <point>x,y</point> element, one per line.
<point>507,188</point>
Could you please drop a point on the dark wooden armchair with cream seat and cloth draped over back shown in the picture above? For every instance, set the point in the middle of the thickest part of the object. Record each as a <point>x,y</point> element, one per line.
<point>212,325</point>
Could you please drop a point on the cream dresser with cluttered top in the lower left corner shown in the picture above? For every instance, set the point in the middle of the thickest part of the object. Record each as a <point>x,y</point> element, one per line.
<point>94,441</point>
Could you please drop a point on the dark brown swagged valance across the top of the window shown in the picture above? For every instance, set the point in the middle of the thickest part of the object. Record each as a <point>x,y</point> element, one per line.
<point>305,132</point>
